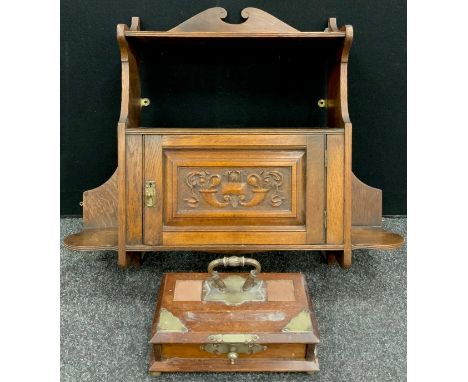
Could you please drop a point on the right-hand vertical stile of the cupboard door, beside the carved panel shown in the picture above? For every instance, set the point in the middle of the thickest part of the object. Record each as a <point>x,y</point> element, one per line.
<point>315,194</point>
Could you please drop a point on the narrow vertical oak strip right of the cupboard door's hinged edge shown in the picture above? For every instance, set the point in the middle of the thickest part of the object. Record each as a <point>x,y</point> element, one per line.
<point>335,189</point>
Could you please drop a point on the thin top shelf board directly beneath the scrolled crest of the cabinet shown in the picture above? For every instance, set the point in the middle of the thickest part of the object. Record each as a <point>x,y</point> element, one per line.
<point>185,35</point>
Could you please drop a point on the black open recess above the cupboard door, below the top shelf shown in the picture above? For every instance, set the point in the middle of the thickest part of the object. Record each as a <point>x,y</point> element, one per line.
<point>234,83</point>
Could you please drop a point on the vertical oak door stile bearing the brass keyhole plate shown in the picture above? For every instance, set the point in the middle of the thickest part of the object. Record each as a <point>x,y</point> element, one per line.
<point>152,225</point>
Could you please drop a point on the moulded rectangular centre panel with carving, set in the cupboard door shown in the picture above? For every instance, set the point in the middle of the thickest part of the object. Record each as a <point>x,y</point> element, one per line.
<point>234,187</point>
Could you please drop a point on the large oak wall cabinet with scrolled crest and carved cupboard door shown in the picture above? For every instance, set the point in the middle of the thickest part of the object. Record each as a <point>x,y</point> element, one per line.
<point>233,189</point>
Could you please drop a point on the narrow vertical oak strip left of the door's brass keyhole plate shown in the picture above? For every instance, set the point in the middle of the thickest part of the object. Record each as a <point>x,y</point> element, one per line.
<point>134,174</point>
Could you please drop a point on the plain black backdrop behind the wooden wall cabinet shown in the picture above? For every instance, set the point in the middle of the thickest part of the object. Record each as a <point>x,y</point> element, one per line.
<point>90,84</point>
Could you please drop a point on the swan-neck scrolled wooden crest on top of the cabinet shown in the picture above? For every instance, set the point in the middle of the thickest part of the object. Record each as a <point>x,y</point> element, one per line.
<point>256,21</point>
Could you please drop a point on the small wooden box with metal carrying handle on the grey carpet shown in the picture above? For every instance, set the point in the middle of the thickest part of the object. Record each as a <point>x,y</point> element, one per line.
<point>234,322</point>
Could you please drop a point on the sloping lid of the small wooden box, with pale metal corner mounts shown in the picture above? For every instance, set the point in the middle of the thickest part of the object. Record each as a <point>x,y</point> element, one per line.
<point>191,309</point>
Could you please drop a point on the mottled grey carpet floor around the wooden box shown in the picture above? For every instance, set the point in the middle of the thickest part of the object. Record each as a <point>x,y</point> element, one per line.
<point>106,313</point>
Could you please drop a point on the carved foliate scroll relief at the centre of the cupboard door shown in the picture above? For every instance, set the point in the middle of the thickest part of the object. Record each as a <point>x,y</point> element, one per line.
<point>236,188</point>
